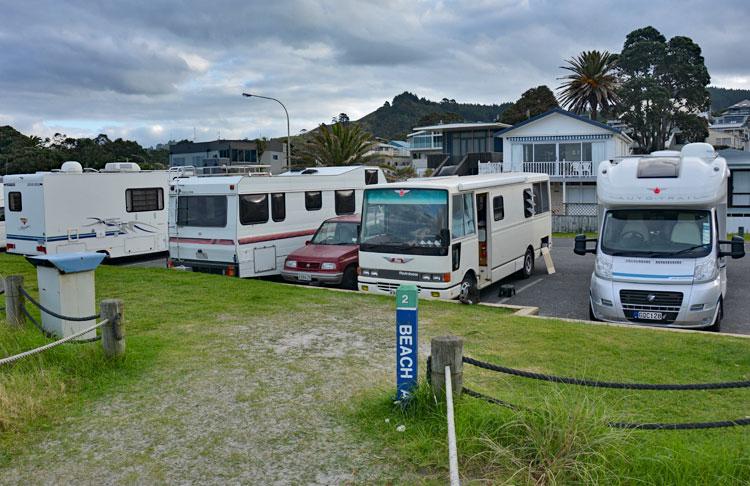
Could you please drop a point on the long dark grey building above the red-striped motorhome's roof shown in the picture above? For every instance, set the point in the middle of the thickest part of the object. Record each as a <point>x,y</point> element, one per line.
<point>228,152</point>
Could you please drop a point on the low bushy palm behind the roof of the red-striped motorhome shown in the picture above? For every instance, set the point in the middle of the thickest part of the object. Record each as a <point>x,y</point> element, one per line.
<point>338,144</point>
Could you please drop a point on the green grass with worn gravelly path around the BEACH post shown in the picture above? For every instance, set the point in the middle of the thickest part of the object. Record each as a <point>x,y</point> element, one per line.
<point>188,333</point>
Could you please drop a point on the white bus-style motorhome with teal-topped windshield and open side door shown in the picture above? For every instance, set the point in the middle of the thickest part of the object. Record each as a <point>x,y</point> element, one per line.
<point>452,236</point>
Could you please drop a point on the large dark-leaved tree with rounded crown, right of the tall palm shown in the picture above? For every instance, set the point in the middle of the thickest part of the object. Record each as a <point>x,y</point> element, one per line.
<point>663,86</point>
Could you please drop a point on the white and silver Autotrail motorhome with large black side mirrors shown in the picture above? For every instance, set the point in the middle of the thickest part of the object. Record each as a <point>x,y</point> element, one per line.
<point>659,258</point>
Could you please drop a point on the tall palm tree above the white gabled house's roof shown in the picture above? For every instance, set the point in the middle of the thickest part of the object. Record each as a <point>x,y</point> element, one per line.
<point>591,84</point>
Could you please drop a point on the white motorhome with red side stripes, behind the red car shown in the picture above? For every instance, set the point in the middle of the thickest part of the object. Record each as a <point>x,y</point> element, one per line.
<point>247,225</point>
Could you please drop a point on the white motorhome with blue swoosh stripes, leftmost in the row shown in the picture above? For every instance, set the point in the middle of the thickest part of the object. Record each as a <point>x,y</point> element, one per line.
<point>119,211</point>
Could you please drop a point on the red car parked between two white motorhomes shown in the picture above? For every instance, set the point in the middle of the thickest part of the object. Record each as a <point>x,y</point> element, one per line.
<point>330,257</point>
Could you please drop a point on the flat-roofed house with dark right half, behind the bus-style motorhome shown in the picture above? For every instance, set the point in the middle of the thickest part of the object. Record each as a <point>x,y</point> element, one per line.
<point>455,148</point>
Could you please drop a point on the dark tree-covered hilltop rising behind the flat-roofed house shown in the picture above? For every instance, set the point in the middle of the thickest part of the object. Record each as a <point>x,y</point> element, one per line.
<point>395,119</point>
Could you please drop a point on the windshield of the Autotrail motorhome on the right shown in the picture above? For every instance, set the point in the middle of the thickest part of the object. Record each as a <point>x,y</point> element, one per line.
<point>661,233</point>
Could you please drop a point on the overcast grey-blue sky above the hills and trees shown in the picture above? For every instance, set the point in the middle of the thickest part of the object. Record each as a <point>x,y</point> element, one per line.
<point>150,70</point>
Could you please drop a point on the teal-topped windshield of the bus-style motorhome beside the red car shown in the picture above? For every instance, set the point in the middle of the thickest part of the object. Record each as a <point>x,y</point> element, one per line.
<point>409,221</point>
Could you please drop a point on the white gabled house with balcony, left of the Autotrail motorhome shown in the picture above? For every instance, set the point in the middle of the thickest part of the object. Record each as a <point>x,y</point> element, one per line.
<point>569,148</point>
